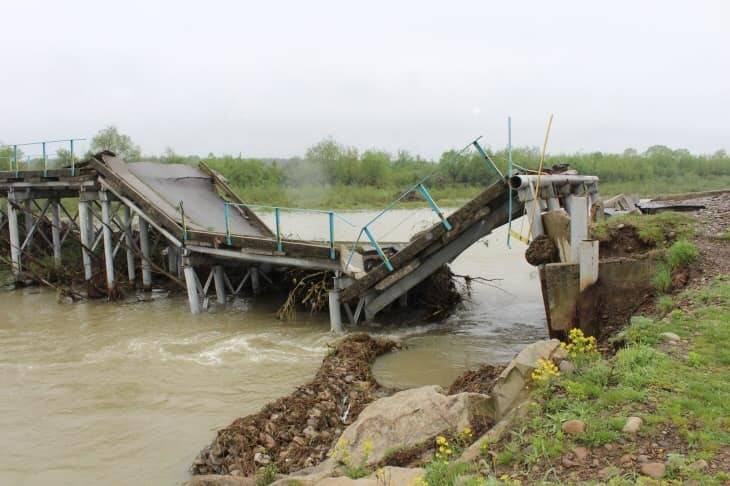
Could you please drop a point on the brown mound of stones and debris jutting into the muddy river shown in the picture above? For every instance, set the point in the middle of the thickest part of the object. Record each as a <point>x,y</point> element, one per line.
<point>298,430</point>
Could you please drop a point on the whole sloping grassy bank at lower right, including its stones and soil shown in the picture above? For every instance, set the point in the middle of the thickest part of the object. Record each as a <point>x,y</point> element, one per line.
<point>670,372</point>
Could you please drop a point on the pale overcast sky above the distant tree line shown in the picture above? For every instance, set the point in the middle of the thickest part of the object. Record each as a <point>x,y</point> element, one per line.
<point>272,78</point>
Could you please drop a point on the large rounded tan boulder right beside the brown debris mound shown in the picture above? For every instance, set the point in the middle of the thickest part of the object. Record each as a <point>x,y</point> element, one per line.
<point>407,419</point>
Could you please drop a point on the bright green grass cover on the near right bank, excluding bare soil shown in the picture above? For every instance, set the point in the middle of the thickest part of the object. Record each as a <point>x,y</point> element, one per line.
<point>667,388</point>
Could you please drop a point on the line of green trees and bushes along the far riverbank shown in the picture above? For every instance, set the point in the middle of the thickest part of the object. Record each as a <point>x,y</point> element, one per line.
<point>329,163</point>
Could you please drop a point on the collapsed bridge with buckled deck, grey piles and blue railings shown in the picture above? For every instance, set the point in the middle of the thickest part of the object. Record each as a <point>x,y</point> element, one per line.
<point>150,212</point>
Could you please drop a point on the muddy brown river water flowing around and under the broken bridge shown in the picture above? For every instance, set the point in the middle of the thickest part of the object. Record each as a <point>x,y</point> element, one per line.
<point>109,393</point>
